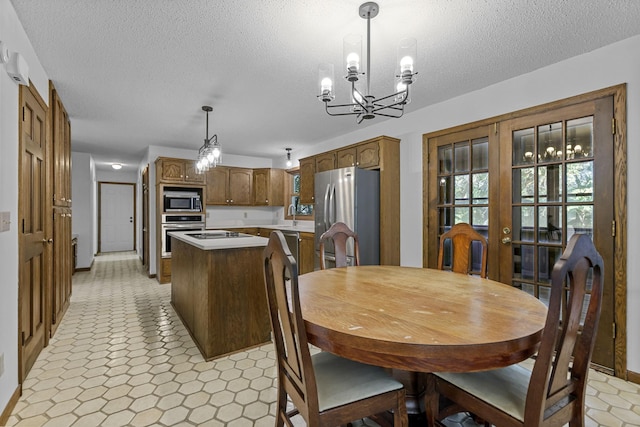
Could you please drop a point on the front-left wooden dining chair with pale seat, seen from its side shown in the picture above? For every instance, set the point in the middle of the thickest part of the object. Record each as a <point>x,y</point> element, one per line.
<point>325,389</point>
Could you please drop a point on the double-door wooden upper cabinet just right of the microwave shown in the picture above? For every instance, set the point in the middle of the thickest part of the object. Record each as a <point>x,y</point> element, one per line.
<point>229,186</point>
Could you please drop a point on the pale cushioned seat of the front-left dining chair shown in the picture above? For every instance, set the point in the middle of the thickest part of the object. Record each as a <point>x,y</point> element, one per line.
<point>341,381</point>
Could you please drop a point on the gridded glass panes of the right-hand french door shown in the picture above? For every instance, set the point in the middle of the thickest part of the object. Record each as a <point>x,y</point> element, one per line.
<point>552,197</point>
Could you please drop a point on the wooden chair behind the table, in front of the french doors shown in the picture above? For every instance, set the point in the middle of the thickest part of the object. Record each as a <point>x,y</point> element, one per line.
<point>462,236</point>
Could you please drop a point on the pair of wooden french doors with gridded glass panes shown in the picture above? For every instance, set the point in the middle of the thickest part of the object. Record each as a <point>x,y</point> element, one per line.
<point>528,183</point>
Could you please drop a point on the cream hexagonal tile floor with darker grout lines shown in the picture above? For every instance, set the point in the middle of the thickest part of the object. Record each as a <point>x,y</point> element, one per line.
<point>121,357</point>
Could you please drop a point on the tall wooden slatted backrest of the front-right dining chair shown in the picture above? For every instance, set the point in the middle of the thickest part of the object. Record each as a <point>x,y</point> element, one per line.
<point>562,364</point>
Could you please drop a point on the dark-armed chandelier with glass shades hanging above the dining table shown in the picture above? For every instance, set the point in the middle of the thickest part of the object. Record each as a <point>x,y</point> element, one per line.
<point>364,105</point>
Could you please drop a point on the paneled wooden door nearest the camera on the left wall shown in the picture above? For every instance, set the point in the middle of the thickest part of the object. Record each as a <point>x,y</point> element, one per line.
<point>34,244</point>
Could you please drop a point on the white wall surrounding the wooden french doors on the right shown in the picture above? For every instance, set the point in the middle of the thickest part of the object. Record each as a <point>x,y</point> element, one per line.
<point>605,67</point>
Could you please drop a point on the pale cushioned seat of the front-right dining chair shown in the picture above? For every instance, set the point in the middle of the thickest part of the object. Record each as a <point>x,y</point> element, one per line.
<point>504,388</point>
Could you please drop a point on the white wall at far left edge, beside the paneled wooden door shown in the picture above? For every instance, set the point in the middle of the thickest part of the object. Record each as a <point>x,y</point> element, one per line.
<point>12,33</point>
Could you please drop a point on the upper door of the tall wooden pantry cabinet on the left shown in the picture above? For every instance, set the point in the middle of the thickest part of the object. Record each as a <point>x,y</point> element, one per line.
<point>61,146</point>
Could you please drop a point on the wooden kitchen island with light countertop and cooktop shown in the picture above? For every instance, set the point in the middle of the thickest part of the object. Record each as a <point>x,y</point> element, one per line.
<point>217,289</point>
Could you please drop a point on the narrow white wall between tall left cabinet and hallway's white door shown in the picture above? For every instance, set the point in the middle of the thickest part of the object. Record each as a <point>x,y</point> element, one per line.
<point>83,187</point>
